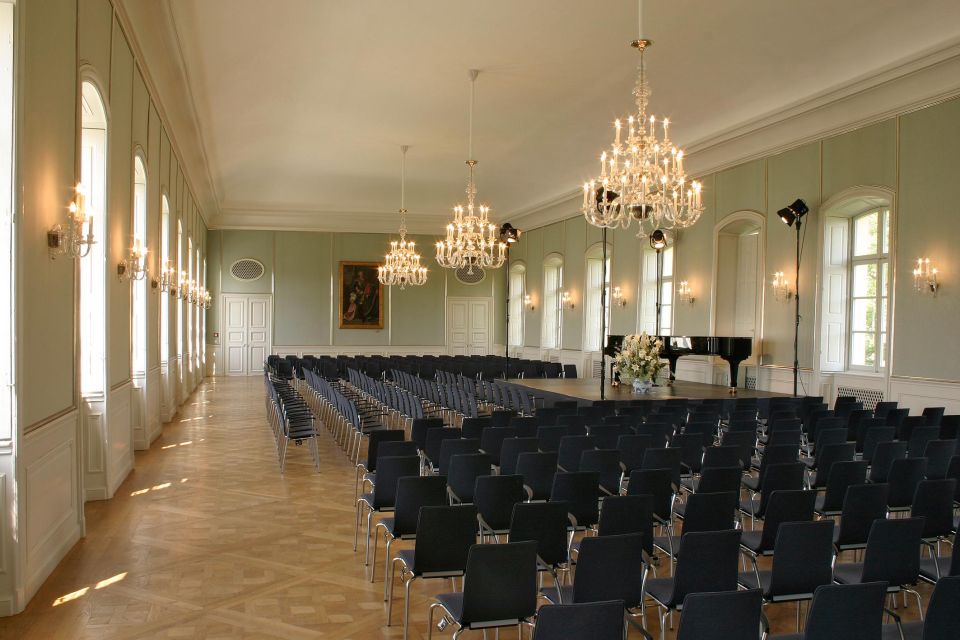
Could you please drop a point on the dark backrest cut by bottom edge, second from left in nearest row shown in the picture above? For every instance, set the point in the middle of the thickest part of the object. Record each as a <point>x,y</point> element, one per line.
<point>720,616</point>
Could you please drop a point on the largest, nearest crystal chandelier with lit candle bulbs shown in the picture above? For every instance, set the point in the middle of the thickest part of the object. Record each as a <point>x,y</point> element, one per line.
<point>642,175</point>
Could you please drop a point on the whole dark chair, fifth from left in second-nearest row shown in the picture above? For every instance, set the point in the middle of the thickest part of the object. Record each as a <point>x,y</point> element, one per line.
<point>892,555</point>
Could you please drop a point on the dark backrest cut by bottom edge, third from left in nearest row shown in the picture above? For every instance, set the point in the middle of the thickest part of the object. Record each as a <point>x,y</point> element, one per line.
<point>849,611</point>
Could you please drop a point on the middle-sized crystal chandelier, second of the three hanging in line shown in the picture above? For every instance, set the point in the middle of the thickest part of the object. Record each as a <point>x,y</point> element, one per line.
<point>471,237</point>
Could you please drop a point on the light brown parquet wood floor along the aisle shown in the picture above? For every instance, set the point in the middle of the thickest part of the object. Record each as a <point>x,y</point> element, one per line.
<point>206,539</point>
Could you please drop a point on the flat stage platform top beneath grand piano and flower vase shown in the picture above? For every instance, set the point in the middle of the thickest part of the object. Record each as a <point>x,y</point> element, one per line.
<point>588,389</point>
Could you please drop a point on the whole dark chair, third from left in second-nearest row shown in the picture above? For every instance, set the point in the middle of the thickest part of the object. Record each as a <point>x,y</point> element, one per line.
<point>707,562</point>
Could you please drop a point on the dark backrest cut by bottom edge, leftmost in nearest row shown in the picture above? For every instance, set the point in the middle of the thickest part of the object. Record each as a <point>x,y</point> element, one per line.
<point>595,620</point>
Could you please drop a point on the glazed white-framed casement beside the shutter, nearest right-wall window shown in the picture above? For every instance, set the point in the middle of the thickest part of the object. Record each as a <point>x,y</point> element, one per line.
<point>869,269</point>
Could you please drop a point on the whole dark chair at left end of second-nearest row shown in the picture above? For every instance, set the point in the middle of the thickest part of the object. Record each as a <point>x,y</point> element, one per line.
<point>499,589</point>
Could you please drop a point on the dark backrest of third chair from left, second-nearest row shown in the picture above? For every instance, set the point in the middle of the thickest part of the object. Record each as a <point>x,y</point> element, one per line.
<point>707,562</point>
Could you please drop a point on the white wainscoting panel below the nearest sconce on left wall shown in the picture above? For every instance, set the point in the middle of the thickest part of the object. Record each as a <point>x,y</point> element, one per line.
<point>50,499</point>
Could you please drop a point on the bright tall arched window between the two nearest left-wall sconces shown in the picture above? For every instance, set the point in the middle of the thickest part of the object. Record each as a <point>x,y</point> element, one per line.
<point>93,183</point>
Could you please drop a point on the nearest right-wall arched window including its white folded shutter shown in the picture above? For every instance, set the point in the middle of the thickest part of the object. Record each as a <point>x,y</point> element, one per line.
<point>856,283</point>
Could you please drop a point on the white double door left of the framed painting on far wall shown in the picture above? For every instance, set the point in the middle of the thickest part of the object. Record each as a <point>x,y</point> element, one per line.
<point>247,333</point>
